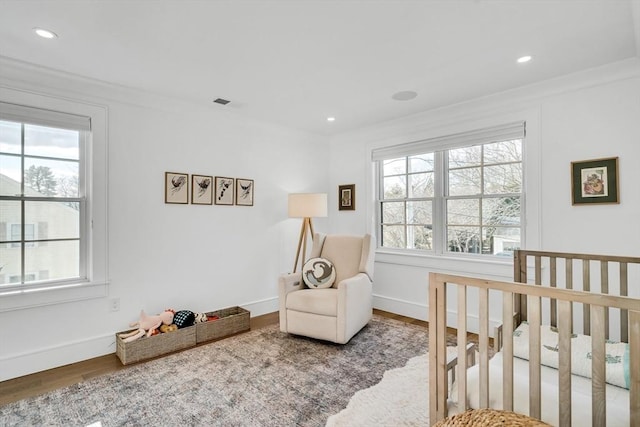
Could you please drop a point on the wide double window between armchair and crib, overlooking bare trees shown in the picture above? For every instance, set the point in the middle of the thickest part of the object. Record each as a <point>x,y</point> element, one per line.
<point>457,194</point>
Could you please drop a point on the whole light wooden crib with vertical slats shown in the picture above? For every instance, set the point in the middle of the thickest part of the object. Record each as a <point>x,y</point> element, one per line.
<point>557,288</point>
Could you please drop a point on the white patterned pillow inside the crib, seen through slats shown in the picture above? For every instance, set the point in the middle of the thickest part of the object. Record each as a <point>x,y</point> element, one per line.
<point>617,353</point>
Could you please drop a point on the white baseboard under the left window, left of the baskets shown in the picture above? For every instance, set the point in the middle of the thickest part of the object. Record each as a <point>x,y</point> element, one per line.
<point>19,364</point>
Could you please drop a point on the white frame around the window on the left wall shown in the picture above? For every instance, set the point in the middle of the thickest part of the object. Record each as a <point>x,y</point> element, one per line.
<point>94,283</point>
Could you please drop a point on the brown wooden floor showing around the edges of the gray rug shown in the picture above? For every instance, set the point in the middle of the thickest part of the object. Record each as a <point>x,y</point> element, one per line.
<point>52,379</point>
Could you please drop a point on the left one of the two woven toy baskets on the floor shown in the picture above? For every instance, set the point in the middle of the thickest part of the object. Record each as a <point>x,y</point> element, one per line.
<point>157,345</point>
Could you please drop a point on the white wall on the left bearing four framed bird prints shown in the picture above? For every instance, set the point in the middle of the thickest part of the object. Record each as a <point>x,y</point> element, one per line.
<point>192,257</point>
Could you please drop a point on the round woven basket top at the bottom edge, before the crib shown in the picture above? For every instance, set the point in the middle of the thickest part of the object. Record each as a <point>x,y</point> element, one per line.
<point>490,417</point>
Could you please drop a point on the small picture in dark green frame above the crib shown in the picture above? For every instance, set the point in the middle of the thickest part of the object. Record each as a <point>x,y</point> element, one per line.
<point>595,181</point>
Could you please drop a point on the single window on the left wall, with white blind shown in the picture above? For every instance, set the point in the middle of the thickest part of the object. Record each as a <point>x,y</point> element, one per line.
<point>42,199</point>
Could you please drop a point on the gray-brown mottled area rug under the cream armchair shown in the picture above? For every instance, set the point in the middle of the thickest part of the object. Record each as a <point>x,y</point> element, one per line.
<point>260,378</point>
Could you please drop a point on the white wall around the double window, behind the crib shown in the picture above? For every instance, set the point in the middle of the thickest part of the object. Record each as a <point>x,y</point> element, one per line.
<point>590,115</point>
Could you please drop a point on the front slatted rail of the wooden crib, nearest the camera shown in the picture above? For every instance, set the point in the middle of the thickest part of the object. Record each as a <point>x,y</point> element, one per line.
<point>598,304</point>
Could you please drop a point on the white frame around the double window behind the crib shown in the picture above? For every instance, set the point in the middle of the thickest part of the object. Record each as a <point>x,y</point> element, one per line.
<point>439,146</point>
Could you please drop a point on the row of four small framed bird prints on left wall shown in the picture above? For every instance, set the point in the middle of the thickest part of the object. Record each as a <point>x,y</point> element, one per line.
<point>207,190</point>
